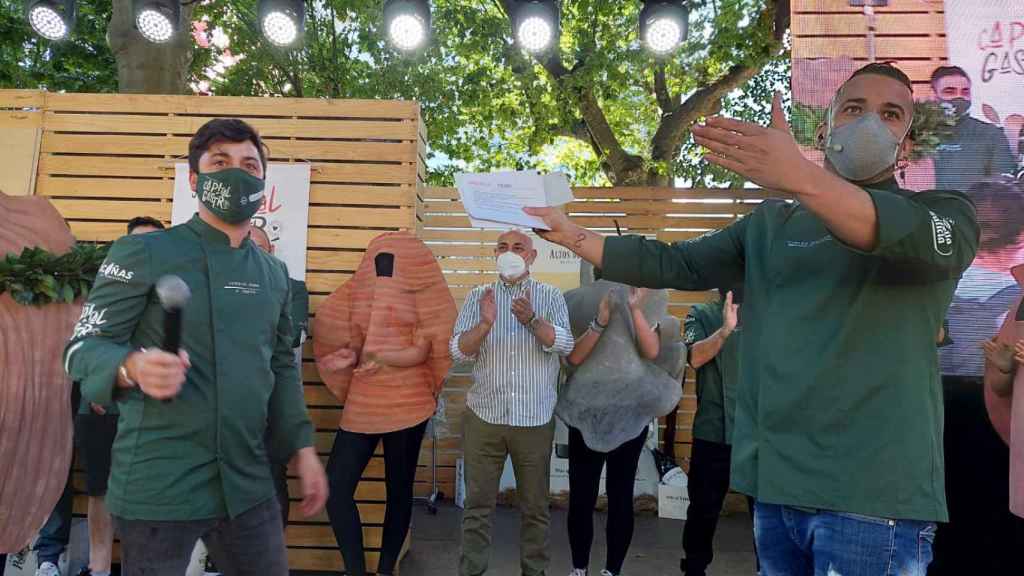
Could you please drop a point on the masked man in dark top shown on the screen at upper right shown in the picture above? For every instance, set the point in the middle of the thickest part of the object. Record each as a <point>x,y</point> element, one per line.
<point>977,150</point>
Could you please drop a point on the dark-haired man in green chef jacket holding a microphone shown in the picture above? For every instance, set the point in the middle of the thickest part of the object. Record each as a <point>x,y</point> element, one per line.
<point>199,428</point>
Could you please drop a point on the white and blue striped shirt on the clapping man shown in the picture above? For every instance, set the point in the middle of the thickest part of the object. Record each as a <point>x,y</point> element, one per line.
<point>516,379</point>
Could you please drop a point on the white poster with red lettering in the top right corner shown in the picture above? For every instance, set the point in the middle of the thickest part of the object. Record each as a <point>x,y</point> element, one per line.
<point>987,39</point>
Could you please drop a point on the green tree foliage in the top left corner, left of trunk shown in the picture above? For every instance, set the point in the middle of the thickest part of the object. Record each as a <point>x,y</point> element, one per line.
<point>81,64</point>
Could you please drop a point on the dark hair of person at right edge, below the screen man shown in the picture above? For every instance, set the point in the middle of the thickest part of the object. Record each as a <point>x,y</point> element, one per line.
<point>1006,197</point>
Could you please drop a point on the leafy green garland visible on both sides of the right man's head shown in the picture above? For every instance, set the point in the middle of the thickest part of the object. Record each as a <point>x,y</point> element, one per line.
<point>932,127</point>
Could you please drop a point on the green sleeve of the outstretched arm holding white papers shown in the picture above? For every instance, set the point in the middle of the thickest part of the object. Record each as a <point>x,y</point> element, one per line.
<point>711,261</point>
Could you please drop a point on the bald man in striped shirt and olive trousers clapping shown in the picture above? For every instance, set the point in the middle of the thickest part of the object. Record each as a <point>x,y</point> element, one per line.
<point>514,332</point>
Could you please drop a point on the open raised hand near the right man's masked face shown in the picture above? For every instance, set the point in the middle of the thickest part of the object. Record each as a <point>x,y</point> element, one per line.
<point>767,156</point>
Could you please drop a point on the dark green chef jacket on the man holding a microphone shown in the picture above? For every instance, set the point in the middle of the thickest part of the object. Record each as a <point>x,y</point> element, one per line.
<point>202,456</point>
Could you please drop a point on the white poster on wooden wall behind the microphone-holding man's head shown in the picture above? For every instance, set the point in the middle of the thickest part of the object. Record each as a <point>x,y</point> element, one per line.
<point>285,215</point>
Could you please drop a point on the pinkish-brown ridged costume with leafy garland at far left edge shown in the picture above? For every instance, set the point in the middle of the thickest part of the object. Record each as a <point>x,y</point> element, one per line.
<point>35,393</point>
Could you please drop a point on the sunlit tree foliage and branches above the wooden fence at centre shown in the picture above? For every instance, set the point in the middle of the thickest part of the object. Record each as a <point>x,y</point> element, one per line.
<point>601,107</point>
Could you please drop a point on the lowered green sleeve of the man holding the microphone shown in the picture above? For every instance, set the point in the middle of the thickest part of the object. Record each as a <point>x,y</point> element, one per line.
<point>290,429</point>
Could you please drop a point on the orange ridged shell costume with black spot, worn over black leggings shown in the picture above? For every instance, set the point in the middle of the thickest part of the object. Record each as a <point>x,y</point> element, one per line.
<point>372,313</point>
